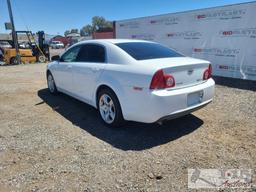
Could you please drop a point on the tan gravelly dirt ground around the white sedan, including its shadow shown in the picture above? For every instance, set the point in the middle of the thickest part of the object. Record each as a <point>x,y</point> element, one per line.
<point>56,143</point>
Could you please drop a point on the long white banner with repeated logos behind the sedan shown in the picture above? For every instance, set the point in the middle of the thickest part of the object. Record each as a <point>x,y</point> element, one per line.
<point>226,36</point>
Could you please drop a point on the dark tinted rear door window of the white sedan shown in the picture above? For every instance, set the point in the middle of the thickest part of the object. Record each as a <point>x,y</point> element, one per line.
<point>91,53</point>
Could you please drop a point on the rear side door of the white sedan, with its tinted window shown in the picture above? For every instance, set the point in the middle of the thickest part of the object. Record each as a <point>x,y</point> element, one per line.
<point>91,61</point>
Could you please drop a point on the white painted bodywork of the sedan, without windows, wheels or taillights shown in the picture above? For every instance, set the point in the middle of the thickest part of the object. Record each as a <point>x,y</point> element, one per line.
<point>130,80</point>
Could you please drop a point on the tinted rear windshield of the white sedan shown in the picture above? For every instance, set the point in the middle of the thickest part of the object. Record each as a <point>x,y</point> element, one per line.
<point>144,50</point>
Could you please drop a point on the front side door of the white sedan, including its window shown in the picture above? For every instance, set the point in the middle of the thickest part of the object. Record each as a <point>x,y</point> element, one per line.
<point>64,74</point>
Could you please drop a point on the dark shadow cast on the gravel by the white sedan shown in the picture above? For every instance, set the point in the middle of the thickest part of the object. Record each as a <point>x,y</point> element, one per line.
<point>132,136</point>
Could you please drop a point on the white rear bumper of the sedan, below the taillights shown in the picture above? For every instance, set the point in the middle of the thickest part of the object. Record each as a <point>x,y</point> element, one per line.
<point>152,106</point>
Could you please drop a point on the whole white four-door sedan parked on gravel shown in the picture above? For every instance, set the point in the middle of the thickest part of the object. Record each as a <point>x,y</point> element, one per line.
<point>132,80</point>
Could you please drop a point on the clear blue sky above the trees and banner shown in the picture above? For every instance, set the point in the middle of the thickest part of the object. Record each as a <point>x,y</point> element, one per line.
<point>57,16</point>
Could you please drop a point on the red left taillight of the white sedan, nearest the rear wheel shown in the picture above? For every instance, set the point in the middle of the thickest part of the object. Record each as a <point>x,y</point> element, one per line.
<point>162,81</point>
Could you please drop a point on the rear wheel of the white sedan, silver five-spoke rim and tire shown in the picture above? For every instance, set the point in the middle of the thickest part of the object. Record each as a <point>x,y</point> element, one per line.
<point>109,108</point>
